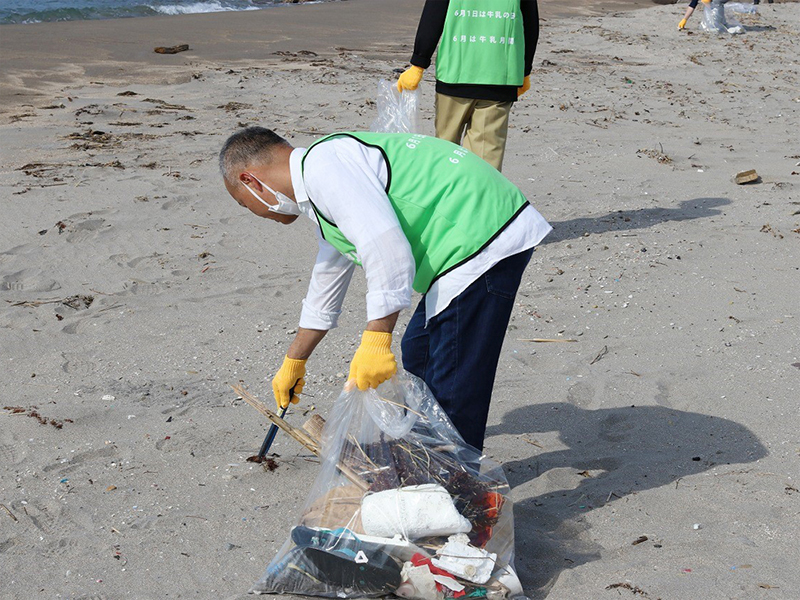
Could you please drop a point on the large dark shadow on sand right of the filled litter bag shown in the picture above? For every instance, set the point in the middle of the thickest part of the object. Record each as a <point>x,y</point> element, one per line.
<point>610,453</point>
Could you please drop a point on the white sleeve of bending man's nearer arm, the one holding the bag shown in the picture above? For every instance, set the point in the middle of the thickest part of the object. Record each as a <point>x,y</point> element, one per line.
<point>345,180</point>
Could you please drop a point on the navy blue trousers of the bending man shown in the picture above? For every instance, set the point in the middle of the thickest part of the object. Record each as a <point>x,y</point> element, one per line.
<point>457,353</point>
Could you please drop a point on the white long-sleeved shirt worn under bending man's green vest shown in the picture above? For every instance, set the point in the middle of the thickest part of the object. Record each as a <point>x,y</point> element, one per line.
<point>346,181</point>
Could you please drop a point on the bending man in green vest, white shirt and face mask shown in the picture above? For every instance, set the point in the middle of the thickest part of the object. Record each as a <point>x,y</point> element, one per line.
<point>412,210</point>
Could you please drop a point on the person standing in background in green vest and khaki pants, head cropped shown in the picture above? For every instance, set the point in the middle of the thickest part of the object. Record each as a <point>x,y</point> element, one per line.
<point>483,66</point>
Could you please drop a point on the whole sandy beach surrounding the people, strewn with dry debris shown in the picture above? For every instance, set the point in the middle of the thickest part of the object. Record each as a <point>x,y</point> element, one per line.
<point>655,456</point>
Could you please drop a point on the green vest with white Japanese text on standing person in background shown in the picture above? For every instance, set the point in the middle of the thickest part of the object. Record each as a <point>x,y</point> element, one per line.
<point>483,43</point>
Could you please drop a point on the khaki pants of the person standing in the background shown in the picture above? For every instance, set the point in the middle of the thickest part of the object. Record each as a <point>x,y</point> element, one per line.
<point>482,123</point>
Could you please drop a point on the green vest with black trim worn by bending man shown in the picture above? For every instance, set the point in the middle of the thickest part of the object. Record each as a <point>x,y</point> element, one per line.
<point>450,203</point>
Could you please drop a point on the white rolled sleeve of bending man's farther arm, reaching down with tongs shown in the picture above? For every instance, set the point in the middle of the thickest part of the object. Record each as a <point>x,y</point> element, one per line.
<point>326,290</point>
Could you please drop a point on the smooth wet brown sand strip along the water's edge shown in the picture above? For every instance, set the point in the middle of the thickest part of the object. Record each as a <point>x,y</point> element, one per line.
<point>41,56</point>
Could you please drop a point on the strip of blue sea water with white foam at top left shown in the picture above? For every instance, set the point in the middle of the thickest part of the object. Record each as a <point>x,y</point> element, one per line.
<point>37,11</point>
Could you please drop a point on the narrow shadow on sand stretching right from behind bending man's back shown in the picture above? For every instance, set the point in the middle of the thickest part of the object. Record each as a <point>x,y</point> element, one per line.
<point>640,218</point>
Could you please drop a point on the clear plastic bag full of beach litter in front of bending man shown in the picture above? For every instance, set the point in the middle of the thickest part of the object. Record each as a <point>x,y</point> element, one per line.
<point>402,505</point>
